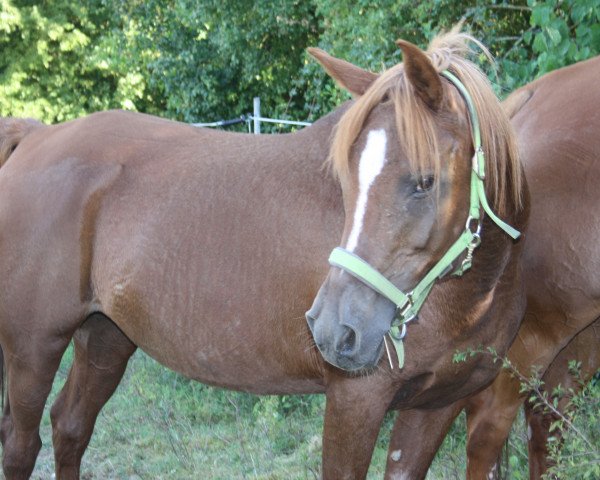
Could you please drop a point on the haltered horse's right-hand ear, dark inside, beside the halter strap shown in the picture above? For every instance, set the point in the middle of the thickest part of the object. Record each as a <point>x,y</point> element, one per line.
<point>422,75</point>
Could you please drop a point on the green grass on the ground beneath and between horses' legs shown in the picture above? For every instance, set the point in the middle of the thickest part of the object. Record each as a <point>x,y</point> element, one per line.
<point>159,425</point>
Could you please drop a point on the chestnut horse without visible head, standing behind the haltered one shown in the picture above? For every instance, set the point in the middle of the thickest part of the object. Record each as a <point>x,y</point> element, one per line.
<point>556,121</point>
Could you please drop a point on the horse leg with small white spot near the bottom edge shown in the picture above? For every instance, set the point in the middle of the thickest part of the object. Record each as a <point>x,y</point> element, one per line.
<point>415,439</point>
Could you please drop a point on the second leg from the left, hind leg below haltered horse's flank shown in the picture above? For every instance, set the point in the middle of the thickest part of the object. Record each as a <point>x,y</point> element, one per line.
<point>101,355</point>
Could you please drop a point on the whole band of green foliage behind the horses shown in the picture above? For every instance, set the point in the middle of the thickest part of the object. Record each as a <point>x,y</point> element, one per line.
<point>204,61</point>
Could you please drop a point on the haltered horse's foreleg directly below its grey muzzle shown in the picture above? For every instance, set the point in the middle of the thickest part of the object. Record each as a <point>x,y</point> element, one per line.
<point>354,412</point>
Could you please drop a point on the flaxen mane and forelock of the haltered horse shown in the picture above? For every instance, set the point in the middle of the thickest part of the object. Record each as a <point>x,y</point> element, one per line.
<point>415,121</point>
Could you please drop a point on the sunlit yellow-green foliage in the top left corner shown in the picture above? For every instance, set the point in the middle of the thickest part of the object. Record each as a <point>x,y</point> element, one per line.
<point>50,64</point>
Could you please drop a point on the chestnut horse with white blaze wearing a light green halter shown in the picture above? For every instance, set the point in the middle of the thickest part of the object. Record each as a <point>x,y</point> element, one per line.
<point>205,249</point>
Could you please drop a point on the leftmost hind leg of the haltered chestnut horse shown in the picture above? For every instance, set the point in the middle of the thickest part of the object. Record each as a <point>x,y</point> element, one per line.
<point>31,363</point>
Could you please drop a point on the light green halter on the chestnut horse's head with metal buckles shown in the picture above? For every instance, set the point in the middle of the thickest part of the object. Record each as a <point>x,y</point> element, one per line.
<point>409,304</point>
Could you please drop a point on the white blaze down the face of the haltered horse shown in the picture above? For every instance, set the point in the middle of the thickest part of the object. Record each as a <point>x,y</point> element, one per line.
<point>370,165</point>
